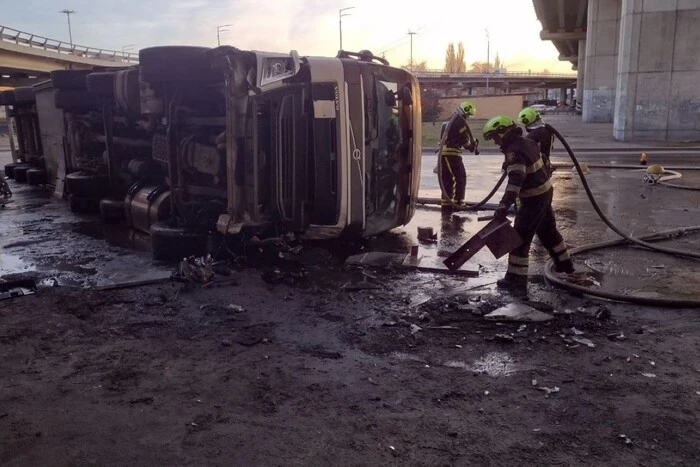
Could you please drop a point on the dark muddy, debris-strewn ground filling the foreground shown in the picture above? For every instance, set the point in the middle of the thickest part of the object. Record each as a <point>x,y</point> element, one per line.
<point>309,374</point>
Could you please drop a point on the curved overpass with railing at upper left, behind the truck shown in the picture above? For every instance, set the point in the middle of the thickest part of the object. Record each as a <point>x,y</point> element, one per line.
<point>27,58</point>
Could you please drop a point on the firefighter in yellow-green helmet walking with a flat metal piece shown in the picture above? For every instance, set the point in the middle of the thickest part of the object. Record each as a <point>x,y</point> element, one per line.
<point>528,181</point>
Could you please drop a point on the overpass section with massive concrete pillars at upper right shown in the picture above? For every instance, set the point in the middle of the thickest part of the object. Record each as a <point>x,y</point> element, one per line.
<point>637,61</point>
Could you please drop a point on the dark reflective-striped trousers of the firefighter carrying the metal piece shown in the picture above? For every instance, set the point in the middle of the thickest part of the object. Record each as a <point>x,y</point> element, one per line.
<point>535,217</point>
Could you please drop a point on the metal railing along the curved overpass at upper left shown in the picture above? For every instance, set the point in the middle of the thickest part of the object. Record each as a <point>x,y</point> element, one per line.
<point>38,42</point>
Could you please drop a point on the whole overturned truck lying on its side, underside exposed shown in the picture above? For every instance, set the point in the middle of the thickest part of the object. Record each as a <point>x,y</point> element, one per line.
<point>195,144</point>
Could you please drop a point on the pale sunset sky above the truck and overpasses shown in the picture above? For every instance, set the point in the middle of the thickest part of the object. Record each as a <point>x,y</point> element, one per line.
<point>308,26</point>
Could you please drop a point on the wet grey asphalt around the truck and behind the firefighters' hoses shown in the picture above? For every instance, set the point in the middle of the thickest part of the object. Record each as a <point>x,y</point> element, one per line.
<point>39,235</point>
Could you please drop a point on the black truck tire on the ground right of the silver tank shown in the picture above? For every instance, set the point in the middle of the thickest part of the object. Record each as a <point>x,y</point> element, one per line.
<point>171,243</point>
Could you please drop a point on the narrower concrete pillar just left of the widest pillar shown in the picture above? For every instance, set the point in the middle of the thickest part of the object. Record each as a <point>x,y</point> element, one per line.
<point>601,60</point>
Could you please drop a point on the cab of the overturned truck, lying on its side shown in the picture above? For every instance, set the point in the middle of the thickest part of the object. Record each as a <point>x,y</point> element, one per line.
<point>329,147</point>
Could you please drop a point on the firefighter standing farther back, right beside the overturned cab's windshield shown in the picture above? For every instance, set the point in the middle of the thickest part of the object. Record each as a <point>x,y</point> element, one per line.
<point>458,135</point>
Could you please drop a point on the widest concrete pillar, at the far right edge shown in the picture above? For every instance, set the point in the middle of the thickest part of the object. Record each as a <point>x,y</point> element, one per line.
<point>659,71</point>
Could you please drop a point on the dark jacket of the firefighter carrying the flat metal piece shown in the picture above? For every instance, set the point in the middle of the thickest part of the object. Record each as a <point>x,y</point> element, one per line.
<point>527,174</point>
